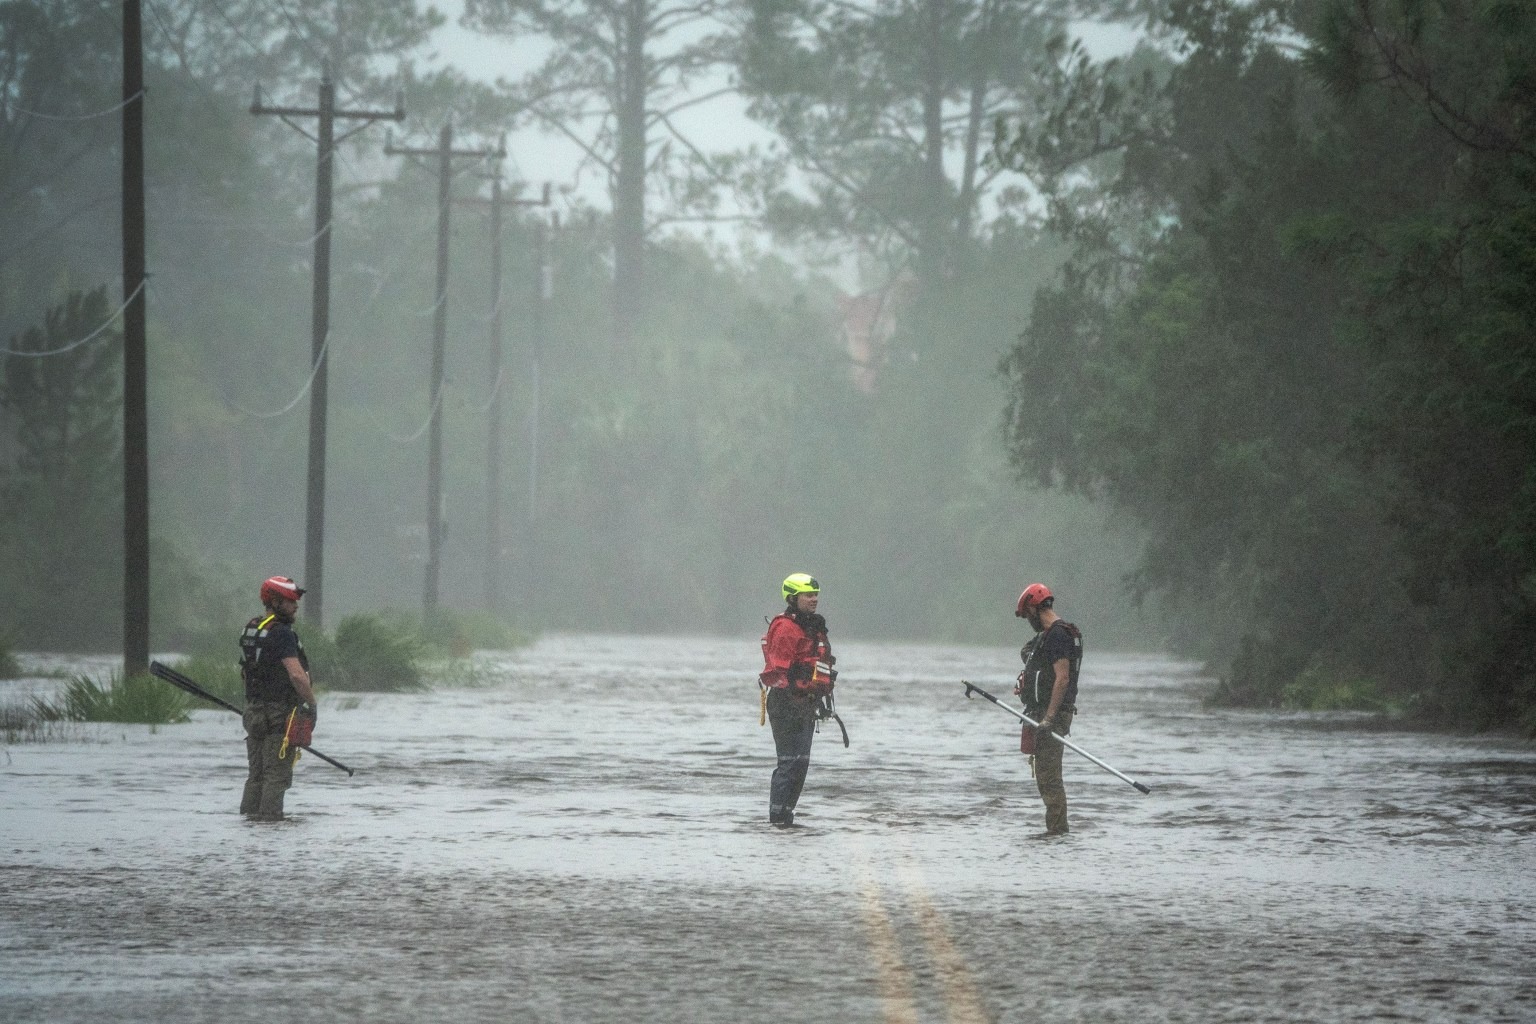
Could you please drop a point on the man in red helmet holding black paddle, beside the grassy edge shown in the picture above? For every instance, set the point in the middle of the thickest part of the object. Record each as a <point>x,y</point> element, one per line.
<point>276,672</point>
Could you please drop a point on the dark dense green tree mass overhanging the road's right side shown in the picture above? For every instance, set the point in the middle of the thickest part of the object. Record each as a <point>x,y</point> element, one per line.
<point>1293,337</point>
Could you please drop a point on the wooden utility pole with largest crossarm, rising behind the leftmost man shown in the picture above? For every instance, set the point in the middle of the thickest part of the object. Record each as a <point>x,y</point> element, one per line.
<point>320,317</point>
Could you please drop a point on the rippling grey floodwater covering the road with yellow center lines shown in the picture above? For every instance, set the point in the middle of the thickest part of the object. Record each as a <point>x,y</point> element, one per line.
<point>584,839</point>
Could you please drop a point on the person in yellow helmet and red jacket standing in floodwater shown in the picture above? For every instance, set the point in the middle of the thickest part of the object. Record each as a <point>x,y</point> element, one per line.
<point>796,690</point>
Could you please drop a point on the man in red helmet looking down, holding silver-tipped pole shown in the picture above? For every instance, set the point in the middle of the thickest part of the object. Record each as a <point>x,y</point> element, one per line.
<point>1048,687</point>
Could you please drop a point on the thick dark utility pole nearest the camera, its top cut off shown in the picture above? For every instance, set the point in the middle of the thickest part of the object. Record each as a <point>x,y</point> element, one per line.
<point>136,363</point>
